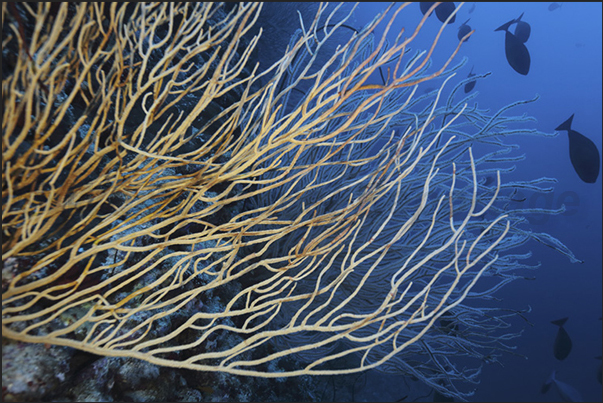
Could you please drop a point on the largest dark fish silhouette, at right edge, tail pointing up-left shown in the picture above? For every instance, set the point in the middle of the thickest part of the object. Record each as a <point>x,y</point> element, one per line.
<point>583,153</point>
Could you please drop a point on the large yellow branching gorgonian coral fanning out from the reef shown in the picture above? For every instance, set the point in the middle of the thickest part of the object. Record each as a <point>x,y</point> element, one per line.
<point>164,199</point>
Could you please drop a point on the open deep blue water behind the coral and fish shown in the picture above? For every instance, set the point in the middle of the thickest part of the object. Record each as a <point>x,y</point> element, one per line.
<point>565,48</point>
